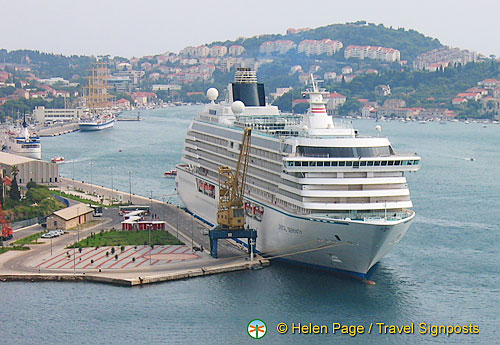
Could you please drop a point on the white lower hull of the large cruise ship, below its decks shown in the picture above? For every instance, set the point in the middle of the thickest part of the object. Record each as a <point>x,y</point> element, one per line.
<point>350,247</point>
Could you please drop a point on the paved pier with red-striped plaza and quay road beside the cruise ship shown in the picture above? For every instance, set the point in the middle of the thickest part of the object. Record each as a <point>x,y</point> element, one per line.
<point>133,265</point>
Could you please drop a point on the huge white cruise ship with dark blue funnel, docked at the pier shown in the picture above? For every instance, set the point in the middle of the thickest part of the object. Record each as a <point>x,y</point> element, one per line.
<point>318,192</point>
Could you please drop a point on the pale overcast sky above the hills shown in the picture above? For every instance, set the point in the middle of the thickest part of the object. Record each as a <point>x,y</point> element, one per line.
<point>137,28</point>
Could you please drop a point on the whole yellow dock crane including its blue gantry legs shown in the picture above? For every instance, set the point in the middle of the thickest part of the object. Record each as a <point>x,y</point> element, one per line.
<point>230,209</point>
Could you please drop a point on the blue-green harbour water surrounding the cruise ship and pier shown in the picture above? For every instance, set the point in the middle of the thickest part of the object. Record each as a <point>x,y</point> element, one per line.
<point>444,272</point>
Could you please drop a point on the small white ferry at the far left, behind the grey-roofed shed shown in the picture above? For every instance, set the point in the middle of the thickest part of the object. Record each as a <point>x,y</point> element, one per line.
<point>23,143</point>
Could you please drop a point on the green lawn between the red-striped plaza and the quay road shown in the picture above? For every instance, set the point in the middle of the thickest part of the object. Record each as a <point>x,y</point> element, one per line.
<point>127,238</point>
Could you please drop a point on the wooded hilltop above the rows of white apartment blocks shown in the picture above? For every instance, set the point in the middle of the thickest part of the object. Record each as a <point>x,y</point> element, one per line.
<point>410,42</point>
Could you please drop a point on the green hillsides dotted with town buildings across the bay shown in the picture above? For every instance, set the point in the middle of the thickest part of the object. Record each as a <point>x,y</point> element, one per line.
<point>361,80</point>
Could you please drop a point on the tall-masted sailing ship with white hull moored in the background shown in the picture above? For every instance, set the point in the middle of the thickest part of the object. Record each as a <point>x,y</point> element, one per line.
<point>98,99</point>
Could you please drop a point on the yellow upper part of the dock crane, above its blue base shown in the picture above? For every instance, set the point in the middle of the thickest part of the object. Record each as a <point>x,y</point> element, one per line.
<point>230,211</point>
